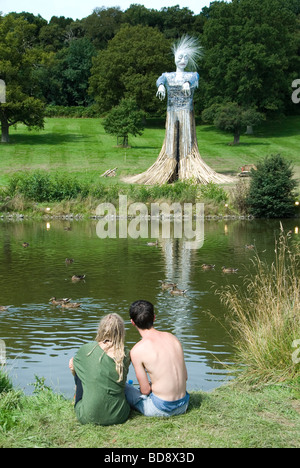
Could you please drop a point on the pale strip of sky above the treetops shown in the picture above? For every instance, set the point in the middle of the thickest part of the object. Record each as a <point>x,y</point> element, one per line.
<point>78,9</point>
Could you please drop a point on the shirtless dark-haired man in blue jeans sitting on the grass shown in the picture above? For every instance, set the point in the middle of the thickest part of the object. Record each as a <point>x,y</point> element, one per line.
<point>160,355</point>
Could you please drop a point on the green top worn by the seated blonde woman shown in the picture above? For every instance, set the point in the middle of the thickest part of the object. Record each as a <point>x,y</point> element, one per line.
<point>103,400</point>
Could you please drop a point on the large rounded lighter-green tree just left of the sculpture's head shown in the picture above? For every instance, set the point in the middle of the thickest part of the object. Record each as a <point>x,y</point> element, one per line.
<point>129,67</point>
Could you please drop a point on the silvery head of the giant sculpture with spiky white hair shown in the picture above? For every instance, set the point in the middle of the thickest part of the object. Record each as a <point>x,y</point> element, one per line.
<point>186,51</point>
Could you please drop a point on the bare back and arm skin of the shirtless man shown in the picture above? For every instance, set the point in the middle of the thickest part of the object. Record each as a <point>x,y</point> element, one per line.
<point>161,355</point>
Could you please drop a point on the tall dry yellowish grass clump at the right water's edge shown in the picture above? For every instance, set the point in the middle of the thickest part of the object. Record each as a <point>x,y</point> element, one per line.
<point>264,316</point>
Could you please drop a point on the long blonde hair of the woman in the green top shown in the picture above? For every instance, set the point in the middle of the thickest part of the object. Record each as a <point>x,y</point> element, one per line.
<point>111,331</point>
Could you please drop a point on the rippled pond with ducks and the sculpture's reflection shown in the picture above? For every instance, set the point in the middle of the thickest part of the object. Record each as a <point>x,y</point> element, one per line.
<point>40,338</point>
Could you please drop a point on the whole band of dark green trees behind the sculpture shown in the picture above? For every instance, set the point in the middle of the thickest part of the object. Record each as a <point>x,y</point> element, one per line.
<point>251,56</point>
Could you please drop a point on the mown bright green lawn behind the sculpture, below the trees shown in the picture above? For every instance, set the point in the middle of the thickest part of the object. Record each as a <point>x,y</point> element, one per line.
<point>81,147</point>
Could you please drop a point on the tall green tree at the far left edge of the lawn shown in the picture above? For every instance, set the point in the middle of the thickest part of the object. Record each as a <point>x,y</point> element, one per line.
<point>17,60</point>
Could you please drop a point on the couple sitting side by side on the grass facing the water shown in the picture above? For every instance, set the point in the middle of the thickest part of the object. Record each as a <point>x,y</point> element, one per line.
<point>100,369</point>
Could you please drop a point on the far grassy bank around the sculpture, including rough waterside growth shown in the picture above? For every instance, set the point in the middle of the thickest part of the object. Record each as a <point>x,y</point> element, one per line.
<point>61,166</point>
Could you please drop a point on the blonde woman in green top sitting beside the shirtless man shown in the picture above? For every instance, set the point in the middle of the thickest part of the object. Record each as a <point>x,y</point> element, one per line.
<point>100,369</point>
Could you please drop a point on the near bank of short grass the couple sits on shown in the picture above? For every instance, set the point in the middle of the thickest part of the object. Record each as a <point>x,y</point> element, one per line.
<point>229,417</point>
